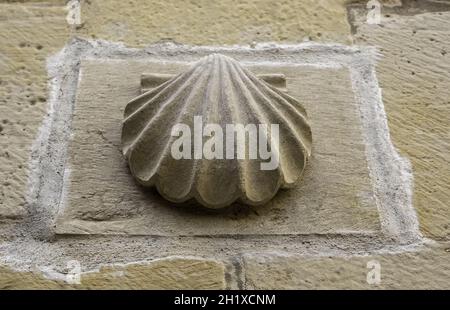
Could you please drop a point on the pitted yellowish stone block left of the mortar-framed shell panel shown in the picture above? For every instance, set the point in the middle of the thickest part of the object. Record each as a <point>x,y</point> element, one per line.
<point>29,33</point>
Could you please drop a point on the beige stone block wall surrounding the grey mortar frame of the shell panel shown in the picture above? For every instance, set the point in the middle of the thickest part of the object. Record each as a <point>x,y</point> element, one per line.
<point>414,73</point>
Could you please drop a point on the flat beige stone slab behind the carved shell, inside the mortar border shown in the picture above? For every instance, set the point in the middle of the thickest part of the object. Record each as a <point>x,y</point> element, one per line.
<point>335,196</point>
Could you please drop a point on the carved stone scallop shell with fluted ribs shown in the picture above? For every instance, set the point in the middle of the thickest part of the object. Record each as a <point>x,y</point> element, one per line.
<point>220,91</point>
